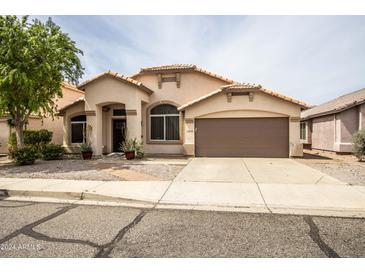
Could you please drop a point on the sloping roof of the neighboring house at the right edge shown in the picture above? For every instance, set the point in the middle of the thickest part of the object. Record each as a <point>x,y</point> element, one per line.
<point>336,105</point>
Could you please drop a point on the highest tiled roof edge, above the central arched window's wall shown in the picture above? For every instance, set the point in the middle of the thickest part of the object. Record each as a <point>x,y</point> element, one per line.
<point>181,68</point>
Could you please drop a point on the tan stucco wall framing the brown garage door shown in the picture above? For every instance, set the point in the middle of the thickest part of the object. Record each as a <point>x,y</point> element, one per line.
<point>262,106</point>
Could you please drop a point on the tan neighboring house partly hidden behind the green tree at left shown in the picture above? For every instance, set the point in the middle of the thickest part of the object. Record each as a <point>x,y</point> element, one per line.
<point>70,94</point>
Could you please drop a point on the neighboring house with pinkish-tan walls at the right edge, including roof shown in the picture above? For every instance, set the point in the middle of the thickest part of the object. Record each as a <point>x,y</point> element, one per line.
<point>330,126</point>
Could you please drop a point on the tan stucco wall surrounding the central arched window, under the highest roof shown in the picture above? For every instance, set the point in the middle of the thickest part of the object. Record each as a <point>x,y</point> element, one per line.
<point>192,86</point>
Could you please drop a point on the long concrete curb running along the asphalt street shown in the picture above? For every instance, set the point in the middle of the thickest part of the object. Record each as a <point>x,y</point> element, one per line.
<point>85,198</point>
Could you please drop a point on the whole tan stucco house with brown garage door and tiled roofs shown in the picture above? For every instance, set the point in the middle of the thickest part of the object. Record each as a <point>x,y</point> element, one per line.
<point>185,110</point>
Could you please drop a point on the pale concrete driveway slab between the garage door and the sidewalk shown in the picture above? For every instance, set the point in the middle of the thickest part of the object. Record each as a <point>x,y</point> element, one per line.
<point>252,170</point>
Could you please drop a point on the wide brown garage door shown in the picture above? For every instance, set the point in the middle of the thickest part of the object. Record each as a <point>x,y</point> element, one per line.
<point>242,137</point>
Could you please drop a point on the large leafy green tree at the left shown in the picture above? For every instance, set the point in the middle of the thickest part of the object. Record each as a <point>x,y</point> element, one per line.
<point>35,58</point>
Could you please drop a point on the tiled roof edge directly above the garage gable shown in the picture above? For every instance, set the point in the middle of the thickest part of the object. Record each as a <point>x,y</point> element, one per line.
<point>243,86</point>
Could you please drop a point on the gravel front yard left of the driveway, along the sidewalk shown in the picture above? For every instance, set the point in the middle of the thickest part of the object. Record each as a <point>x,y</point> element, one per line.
<point>98,169</point>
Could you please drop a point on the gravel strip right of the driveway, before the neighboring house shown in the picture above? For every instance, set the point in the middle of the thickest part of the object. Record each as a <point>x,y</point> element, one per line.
<point>342,167</point>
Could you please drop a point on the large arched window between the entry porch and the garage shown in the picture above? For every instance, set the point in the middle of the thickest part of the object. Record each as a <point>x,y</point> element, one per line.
<point>164,123</point>
